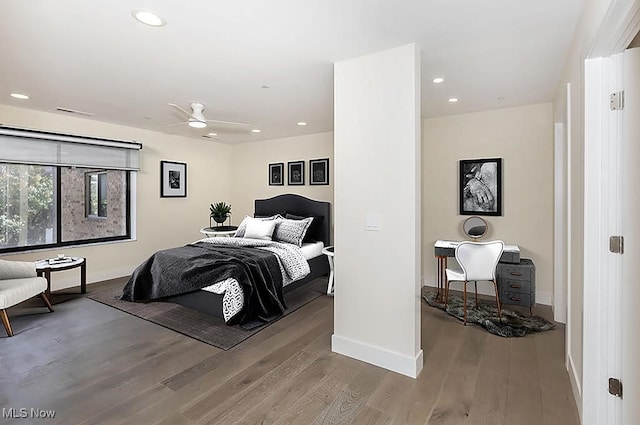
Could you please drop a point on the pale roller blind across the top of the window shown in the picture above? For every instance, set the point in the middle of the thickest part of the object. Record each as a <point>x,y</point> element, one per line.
<point>24,146</point>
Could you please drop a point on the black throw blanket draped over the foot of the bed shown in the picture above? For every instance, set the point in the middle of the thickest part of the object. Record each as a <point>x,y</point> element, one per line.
<point>192,267</point>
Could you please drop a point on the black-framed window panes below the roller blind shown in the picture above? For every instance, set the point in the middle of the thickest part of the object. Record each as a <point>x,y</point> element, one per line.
<point>46,206</point>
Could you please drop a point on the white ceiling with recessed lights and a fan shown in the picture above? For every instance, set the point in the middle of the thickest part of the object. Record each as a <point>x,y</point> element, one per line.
<point>93,56</point>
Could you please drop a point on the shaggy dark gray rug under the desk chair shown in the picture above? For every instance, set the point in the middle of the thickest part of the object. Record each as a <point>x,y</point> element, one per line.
<point>485,315</point>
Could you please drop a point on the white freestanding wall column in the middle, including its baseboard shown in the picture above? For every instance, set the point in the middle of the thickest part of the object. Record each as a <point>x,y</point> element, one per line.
<point>377,169</point>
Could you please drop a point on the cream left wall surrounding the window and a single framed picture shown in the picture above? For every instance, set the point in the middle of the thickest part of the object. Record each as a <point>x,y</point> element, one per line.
<point>161,222</point>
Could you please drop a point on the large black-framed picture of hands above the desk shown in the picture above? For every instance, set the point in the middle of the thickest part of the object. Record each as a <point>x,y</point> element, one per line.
<point>480,186</point>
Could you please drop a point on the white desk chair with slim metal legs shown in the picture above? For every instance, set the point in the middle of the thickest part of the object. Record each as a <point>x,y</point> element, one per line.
<point>478,261</point>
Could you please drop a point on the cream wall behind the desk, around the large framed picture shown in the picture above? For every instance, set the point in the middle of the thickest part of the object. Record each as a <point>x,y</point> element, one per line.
<point>523,138</point>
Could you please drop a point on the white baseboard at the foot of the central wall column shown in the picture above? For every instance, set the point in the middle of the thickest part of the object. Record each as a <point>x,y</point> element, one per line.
<point>395,362</point>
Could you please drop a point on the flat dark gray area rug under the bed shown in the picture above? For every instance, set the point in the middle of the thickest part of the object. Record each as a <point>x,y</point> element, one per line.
<point>192,323</point>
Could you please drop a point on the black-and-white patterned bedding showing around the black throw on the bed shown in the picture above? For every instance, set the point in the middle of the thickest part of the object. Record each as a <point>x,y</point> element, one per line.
<point>291,258</point>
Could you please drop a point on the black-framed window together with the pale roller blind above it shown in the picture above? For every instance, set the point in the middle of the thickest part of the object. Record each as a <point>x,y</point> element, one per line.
<point>61,189</point>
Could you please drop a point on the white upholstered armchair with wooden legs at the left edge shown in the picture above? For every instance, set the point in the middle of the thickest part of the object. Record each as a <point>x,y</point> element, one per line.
<point>18,283</point>
